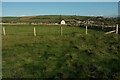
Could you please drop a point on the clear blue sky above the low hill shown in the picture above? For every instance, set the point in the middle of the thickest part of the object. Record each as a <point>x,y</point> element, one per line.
<point>107,9</point>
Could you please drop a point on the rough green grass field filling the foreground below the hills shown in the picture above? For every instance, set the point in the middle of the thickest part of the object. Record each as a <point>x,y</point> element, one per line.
<point>49,55</point>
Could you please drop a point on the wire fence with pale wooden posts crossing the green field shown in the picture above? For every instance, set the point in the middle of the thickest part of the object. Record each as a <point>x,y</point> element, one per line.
<point>61,30</point>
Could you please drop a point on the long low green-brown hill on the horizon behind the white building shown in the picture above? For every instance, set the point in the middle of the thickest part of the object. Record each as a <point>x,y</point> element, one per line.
<point>58,18</point>
